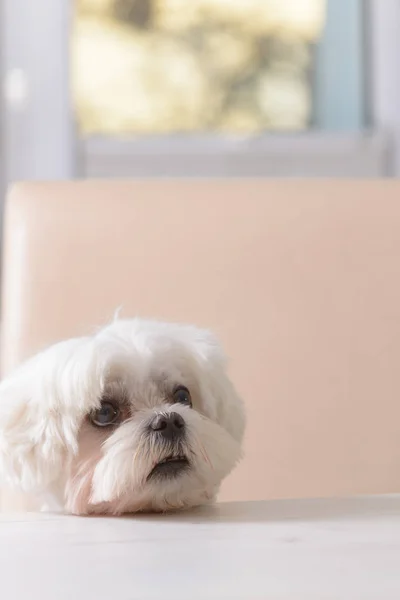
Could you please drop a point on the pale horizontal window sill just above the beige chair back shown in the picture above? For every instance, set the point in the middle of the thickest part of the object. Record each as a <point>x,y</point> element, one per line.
<point>301,155</point>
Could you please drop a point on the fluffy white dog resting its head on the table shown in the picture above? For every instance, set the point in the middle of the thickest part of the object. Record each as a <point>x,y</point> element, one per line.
<point>139,417</point>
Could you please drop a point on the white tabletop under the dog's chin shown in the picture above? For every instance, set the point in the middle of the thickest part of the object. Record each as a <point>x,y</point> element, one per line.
<point>302,550</point>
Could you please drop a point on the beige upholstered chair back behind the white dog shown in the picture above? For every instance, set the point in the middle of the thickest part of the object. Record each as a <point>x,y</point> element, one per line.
<point>300,280</point>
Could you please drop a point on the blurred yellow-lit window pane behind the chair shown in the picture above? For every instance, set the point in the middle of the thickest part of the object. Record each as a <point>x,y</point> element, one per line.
<point>163,66</point>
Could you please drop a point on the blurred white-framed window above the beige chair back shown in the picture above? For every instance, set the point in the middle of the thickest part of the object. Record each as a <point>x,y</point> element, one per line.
<point>111,88</point>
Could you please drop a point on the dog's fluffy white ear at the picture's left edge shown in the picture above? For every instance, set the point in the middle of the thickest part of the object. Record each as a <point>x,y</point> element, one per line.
<point>42,404</point>
